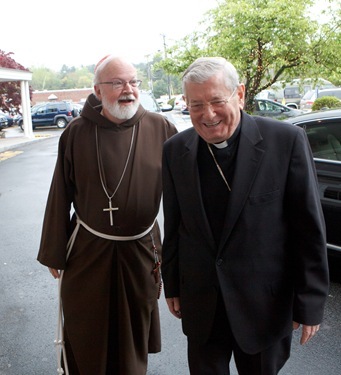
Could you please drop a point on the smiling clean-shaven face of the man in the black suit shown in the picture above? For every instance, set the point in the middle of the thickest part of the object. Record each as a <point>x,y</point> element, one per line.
<point>214,123</point>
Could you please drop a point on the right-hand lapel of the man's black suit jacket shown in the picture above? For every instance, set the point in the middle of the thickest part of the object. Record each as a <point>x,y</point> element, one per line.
<point>248,161</point>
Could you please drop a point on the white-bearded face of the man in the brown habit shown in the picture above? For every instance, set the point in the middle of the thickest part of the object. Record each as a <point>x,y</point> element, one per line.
<point>120,104</point>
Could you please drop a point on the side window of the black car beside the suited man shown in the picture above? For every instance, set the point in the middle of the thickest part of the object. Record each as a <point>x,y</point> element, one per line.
<point>325,141</point>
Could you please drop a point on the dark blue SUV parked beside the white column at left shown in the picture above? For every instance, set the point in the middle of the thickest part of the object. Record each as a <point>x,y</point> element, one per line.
<point>50,114</point>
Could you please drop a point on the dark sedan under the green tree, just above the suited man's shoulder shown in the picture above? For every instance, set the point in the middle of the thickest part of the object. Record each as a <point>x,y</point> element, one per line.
<point>270,108</point>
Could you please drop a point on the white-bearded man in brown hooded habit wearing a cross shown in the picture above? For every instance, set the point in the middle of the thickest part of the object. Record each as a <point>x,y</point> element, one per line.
<point>107,255</point>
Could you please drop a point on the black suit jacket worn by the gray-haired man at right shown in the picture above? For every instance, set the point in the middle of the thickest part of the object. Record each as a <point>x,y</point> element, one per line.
<point>271,262</point>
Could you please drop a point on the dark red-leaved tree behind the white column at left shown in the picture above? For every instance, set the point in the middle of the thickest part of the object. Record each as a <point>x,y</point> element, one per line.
<point>10,93</point>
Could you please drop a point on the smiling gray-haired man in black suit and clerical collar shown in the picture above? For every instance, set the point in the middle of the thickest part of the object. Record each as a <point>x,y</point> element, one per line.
<point>244,253</point>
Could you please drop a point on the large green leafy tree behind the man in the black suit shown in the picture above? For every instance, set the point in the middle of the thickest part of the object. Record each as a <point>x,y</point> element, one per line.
<point>266,40</point>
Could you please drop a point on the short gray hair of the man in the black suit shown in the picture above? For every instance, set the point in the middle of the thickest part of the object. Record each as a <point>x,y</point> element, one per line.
<point>204,68</point>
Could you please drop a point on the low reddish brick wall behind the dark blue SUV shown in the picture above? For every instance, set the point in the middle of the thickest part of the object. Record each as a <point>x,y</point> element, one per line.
<point>76,96</point>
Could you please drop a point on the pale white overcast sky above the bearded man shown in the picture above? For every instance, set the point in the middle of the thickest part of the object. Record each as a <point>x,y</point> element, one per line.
<point>76,33</point>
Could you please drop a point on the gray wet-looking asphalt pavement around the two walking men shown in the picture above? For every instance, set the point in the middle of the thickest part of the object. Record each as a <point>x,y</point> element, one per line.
<point>28,292</point>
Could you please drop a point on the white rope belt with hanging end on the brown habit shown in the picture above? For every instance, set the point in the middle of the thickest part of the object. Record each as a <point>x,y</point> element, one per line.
<point>59,341</point>
